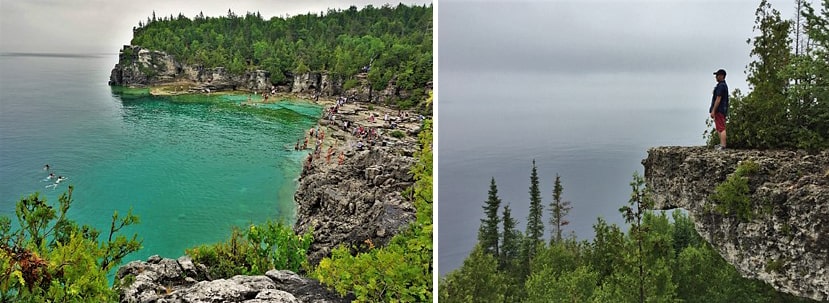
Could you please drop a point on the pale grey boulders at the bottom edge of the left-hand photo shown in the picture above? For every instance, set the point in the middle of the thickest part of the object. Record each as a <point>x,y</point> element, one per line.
<point>163,280</point>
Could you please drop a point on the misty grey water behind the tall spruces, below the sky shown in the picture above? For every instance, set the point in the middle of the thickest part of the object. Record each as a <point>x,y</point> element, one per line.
<point>592,131</point>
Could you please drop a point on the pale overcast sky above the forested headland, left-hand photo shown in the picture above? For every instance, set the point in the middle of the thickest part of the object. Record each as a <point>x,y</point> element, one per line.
<point>103,26</point>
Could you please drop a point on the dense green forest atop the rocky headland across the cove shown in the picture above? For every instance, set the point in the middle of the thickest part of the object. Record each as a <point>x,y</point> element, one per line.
<point>389,43</point>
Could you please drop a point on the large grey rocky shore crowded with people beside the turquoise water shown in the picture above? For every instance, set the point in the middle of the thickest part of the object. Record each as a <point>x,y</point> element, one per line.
<point>359,201</point>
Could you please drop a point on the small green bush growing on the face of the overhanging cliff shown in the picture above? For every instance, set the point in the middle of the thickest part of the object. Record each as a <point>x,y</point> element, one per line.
<point>732,196</point>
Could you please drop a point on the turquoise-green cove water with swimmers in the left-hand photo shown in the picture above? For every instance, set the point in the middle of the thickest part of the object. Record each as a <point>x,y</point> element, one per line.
<point>190,167</point>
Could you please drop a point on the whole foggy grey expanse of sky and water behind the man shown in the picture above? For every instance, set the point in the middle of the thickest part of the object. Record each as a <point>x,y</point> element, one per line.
<point>582,87</point>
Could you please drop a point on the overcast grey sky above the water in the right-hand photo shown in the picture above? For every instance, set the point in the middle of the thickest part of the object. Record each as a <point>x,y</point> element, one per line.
<point>611,39</point>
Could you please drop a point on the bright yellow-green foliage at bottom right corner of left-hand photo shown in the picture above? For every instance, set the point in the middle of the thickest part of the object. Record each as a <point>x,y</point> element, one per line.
<point>402,270</point>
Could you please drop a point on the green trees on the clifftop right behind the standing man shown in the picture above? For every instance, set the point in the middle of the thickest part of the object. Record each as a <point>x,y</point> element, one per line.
<point>788,102</point>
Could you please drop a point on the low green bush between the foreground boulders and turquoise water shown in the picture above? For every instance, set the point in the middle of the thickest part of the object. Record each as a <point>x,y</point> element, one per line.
<point>254,251</point>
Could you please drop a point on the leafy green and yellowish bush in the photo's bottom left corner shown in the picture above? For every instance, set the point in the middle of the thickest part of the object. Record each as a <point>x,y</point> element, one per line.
<point>51,259</point>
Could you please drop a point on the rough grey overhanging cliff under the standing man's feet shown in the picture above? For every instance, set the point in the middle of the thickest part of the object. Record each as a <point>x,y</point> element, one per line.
<point>786,241</point>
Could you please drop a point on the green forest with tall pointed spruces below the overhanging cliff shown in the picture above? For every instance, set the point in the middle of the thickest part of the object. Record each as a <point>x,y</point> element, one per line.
<point>659,258</point>
